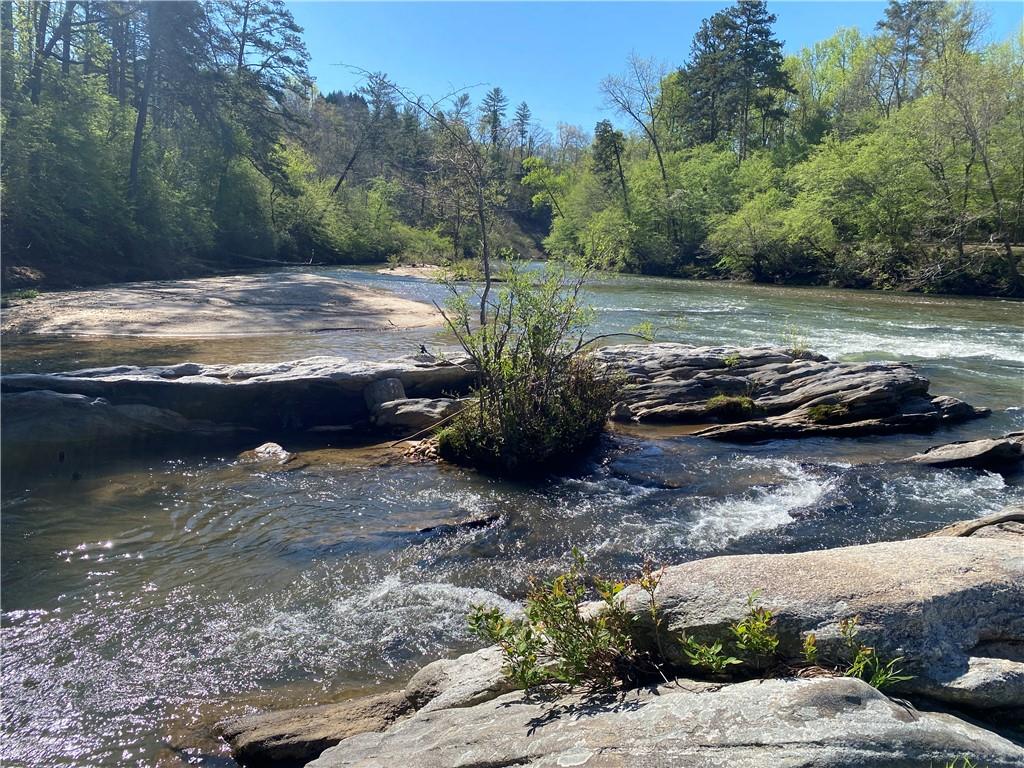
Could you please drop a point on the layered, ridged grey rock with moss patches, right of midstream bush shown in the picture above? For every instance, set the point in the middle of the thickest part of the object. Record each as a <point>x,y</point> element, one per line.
<point>772,393</point>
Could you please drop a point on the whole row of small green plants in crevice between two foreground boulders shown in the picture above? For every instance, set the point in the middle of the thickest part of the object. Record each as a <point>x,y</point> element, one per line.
<point>558,644</point>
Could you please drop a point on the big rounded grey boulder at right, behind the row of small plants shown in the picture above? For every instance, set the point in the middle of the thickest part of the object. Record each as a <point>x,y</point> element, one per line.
<point>953,609</point>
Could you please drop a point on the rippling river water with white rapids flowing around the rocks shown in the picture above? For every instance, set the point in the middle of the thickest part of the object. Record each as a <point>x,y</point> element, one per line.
<point>144,603</point>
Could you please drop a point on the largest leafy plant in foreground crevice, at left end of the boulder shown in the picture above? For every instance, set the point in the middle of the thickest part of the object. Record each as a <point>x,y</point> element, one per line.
<point>556,643</point>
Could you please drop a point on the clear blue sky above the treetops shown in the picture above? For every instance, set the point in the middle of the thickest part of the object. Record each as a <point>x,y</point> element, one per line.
<point>551,55</point>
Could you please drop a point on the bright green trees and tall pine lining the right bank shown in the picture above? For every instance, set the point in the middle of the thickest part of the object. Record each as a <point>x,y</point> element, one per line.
<point>889,161</point>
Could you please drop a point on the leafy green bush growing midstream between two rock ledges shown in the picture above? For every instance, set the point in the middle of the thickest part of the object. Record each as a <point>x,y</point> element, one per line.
<point>539,400</point>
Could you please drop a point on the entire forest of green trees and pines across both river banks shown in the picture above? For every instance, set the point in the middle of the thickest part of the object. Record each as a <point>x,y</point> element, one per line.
<point>148,140</point>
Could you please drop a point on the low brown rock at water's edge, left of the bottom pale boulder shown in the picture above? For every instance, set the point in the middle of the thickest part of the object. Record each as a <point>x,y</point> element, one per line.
<point>293,738</point>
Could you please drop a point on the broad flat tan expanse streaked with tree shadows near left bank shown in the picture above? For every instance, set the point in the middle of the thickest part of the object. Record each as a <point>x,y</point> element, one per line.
<point>234,306</point>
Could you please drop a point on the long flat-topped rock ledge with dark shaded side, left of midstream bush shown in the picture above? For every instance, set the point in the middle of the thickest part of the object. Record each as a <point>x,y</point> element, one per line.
<point>115,411</point>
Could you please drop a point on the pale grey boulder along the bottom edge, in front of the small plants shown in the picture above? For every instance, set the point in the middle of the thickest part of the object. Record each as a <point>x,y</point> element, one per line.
<point>835,722</point>
